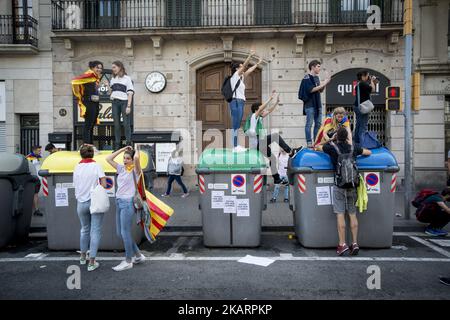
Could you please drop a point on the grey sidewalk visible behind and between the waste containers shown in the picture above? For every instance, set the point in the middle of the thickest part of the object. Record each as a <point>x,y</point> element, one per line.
<point>277,217</point>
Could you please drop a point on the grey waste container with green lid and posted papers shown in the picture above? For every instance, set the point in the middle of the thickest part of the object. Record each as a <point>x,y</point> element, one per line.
<point>223,174</point>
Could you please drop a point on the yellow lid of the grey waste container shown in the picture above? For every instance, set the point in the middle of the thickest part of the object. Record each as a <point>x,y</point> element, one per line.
<point>63,162</point>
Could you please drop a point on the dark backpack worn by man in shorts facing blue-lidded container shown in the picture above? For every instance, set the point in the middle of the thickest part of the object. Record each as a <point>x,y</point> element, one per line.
<point>347,175</point>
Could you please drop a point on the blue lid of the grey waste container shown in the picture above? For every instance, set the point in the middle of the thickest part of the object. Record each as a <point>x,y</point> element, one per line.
<point>380,159</point>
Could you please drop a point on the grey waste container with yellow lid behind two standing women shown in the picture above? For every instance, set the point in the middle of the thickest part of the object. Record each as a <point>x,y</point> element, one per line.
<point>63,225</point>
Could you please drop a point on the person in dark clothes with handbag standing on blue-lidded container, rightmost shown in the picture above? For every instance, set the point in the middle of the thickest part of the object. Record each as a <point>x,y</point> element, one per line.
<point>366,85</point>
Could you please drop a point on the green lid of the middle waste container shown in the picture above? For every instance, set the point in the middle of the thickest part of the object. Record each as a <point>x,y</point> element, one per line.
<point>215,160</point>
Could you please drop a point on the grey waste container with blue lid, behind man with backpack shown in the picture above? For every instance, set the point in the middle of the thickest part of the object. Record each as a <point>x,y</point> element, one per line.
<point>312,176</point>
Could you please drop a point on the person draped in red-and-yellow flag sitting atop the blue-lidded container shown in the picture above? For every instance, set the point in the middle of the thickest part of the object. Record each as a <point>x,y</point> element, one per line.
<point>331,125</point>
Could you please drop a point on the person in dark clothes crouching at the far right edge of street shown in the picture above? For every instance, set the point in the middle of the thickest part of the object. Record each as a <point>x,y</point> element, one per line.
<point>433,210</point>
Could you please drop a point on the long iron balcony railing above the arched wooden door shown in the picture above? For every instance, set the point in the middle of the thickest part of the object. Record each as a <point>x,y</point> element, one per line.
<point>139,14</point>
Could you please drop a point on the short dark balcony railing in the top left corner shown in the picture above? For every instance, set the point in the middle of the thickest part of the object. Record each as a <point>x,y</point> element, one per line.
<point>18,30</point>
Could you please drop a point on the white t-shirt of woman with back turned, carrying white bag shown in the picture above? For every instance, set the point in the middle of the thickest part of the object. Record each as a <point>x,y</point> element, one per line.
<point>85,178</point>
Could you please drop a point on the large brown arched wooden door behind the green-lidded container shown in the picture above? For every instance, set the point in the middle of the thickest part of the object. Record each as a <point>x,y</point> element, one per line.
<point>212,109</point>
